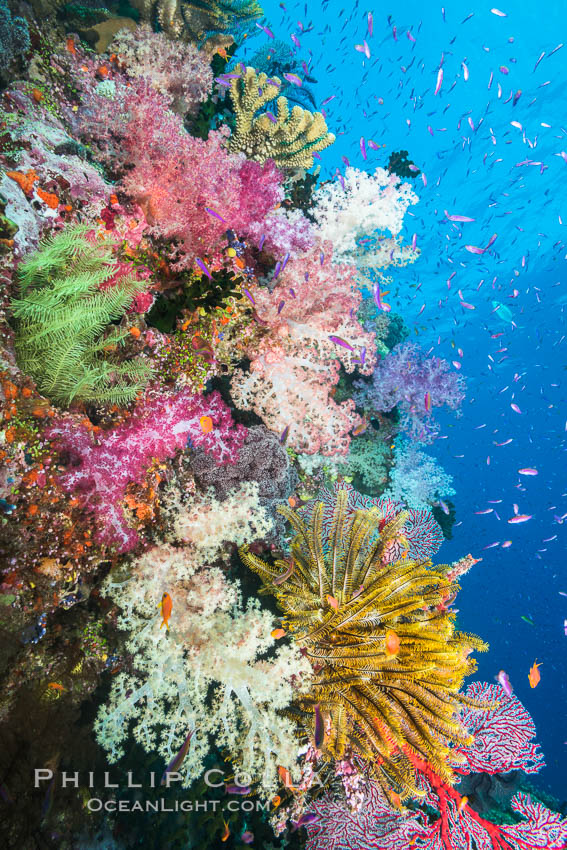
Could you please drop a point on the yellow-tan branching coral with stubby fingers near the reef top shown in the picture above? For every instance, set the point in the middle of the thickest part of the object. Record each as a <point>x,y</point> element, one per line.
<point>290,138</point>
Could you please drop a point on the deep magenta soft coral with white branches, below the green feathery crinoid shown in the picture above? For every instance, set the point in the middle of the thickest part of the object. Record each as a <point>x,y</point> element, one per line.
<point>98,471</point>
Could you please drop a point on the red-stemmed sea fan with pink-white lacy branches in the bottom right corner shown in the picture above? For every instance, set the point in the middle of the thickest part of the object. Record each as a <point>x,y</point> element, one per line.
<point>505,734</point>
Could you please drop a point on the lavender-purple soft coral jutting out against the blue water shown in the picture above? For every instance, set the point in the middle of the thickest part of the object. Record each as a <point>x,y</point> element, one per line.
<point>406,378</point>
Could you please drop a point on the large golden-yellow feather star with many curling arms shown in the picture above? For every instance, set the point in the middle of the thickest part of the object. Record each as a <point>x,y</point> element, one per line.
<point>340,598</point>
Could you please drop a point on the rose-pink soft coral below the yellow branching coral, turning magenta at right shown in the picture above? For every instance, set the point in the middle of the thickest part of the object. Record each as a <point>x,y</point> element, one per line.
<point>191,190</point>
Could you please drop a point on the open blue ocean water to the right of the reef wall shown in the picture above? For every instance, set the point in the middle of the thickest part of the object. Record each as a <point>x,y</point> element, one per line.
<point>491,146</point>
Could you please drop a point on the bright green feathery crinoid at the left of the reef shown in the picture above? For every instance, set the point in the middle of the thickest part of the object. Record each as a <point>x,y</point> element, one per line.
<point>63,320</point>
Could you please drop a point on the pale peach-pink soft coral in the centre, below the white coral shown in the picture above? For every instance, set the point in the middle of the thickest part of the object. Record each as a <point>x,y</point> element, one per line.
<point>311,328</point>
